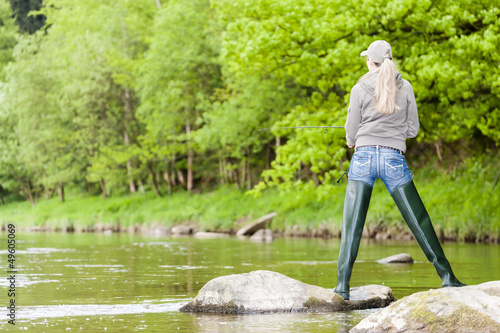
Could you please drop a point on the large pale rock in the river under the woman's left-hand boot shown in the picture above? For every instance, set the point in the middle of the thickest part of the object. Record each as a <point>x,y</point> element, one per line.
<point>271,292</point>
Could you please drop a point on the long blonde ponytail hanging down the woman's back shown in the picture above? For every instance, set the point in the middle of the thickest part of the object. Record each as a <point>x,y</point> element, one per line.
<point>385,88</point>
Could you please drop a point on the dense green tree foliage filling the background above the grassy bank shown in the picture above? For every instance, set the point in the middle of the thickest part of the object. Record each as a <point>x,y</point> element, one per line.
<point>114,96</point>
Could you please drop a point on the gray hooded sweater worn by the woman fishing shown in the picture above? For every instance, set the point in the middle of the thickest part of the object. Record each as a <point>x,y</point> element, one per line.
<point>365,126</point>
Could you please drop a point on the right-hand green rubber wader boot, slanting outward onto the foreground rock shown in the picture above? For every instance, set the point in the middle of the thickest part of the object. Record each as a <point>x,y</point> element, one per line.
<point>416,217</point>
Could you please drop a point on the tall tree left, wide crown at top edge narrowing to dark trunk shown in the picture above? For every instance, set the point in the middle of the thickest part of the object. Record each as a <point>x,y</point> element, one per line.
<point>101,42</point>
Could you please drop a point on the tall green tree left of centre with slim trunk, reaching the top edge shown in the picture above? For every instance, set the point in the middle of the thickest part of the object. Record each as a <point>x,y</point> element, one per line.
<point>178,76</point>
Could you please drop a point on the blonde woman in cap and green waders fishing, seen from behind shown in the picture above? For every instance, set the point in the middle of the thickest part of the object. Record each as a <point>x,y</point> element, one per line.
<point>382,114</point>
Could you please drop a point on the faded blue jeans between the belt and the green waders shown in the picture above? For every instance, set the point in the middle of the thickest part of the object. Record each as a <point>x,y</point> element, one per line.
<point>370,163</point>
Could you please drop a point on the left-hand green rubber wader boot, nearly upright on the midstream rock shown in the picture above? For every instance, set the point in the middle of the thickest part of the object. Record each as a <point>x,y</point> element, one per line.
<point>357,200</point>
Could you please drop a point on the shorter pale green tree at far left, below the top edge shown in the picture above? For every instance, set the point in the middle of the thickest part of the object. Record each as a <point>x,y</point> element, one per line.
<point>44,133</point>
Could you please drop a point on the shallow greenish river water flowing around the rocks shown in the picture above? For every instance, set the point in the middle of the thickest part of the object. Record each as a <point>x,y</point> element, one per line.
<point>133,283</point>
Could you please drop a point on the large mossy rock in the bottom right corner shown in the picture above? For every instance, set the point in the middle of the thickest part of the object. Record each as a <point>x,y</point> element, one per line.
<point>465,309</point>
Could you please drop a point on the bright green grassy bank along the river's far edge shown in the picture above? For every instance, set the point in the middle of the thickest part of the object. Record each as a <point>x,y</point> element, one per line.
<point>463,204</point>
